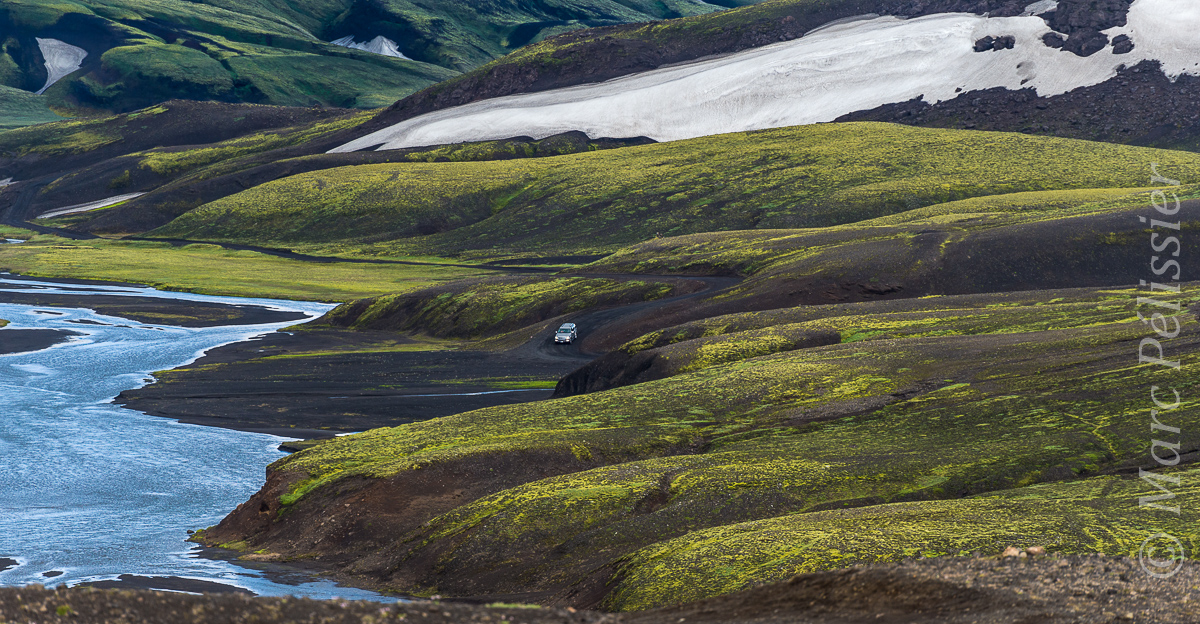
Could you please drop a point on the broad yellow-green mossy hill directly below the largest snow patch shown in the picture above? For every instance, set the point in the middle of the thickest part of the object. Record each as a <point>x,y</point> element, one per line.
<point>801,177</point>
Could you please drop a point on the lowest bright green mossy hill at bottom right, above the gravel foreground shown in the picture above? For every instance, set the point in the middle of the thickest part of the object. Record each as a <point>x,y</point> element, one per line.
<point>1097,515</point>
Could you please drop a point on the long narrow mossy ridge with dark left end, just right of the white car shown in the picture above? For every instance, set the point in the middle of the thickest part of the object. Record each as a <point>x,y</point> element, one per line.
<point>734,338</point>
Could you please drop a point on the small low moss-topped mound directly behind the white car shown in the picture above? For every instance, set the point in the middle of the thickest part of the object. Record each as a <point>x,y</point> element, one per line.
<point>475,309</point>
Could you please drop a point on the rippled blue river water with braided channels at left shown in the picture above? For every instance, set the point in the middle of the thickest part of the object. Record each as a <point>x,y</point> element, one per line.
<point>93,490</point>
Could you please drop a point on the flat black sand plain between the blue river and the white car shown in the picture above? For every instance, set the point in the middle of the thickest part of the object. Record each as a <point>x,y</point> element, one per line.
<point>248,387</point>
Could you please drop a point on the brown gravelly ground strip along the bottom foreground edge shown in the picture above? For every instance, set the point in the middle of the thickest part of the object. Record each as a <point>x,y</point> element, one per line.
<point>1045,590</point>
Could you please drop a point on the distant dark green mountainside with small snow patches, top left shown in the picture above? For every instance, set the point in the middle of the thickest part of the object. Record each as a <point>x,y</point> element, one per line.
<point>279,52</point>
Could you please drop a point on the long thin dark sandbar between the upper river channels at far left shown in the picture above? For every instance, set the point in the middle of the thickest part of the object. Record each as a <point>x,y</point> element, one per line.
<point>155,311</point>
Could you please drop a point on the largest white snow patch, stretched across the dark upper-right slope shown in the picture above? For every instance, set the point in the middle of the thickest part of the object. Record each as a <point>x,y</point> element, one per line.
<point>838,70</point>
